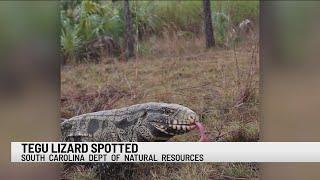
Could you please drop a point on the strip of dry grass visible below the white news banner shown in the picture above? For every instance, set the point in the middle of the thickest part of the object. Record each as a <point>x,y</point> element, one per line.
<point>173,171</point>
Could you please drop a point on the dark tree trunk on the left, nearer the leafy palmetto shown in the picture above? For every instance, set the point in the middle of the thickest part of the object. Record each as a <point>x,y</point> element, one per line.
<point>129,40</point>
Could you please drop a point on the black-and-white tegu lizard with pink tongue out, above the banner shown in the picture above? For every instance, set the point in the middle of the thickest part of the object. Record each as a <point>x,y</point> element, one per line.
<point>142,122</point>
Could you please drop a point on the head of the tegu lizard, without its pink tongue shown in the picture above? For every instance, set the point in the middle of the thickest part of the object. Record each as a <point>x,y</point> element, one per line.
<point>168,120</point>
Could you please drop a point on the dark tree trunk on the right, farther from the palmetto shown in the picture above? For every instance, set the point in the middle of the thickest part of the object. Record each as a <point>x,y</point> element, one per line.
<point>208,29</point>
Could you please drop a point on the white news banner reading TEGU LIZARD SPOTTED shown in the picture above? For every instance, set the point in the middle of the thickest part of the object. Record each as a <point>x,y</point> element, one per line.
<point>165,152</point>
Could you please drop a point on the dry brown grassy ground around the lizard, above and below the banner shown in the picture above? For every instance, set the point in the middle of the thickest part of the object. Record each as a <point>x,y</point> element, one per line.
<point>221,85</point>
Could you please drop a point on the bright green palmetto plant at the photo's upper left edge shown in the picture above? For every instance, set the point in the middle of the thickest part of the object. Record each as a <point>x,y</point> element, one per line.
<point>84,24</point>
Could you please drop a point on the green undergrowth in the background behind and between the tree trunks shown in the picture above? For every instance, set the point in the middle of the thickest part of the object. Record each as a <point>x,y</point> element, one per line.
<point>83,21</point>
